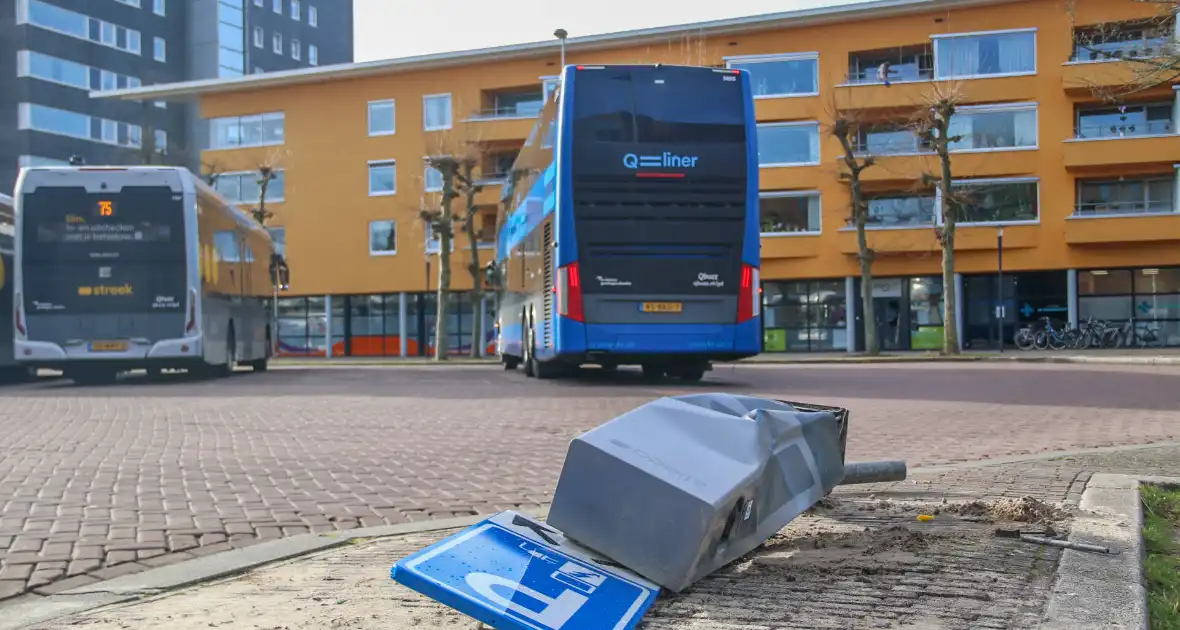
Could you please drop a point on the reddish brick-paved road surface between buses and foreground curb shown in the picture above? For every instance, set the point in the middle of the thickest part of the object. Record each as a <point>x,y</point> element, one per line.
<point>102,482</point>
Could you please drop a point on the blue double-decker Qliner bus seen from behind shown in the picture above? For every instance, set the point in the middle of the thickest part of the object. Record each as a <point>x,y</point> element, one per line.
<point>631,232</point>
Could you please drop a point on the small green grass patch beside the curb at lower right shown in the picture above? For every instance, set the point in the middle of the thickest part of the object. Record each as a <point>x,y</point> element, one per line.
<point>1162,568</point>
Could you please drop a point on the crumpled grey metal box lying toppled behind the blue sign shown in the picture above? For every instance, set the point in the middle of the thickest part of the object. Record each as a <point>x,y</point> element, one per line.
<point>685,485</point>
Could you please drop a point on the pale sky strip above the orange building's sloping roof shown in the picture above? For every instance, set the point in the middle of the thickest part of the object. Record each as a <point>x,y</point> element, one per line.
<point>390,29</point>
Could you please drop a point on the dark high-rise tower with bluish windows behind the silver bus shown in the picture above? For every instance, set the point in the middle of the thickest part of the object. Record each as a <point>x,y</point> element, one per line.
<point>55,52</point>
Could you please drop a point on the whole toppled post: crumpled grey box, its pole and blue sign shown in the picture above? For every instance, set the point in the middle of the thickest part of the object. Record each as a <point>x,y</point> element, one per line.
<point>661,496</point>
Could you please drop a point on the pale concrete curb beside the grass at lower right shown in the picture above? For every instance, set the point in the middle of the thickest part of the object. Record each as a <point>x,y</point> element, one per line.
<point>1096,590</point>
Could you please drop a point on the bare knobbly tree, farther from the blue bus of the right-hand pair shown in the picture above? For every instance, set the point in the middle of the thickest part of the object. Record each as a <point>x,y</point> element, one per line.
<point>933,124</point>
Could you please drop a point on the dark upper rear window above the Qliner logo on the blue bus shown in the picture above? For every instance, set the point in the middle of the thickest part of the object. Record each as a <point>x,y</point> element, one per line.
<point>659,106</point>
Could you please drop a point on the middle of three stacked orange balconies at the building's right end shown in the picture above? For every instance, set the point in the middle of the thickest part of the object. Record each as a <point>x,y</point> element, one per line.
<point>1148,145</point>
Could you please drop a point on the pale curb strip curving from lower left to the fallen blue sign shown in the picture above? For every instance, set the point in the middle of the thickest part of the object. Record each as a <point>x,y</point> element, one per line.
<point>32,609</point>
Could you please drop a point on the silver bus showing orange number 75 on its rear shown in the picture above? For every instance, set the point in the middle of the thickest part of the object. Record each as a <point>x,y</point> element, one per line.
<point>122,268</point>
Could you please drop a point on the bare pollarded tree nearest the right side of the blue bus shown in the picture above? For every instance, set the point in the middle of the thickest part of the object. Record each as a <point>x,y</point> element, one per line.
<point>845,128</point>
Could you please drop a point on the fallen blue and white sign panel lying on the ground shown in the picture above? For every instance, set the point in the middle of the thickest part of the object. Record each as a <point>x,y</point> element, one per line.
<point>514,573</point>
